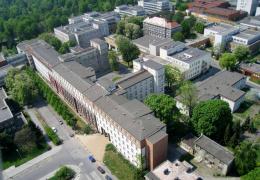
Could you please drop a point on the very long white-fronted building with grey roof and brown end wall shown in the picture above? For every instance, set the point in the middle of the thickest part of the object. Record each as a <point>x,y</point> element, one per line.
<point>128,123</point>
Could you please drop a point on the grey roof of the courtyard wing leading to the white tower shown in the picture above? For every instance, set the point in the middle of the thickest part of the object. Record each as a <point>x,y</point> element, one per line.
<point>134,79</point>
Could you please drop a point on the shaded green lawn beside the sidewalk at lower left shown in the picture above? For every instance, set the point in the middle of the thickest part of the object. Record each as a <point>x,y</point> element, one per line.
<point>13,158</point>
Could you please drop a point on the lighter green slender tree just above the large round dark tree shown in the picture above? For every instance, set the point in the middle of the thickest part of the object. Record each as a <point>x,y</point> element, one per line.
<point>188,96</point>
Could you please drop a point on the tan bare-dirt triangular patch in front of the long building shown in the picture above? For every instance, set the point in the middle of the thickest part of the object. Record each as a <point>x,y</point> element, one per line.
<point>95,143</point>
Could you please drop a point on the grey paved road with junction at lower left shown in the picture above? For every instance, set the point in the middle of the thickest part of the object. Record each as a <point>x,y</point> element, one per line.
<point>71,152</point>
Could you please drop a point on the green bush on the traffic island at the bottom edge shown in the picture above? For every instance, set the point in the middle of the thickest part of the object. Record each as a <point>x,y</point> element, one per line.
<point>64,173</point>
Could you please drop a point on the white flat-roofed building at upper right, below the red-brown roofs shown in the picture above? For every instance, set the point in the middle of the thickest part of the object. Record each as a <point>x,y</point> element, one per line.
<point>220,34</point>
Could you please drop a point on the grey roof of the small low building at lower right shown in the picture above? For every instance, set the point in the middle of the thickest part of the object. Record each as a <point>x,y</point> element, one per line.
<point>215,149</point>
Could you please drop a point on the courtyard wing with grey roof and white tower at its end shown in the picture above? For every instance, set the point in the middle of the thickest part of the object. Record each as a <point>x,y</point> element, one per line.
<point>147,78</point>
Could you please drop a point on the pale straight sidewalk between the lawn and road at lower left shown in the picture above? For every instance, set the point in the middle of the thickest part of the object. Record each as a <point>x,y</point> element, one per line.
<point>13,171</point>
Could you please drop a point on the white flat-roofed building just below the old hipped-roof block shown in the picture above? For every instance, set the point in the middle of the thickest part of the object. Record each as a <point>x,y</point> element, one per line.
<point>190,61</point>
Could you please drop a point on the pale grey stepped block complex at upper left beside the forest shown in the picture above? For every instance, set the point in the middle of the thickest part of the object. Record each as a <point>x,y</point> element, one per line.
<point>82,29</point>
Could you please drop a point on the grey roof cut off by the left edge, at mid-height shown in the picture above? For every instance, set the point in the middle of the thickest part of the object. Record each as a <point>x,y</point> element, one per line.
<point>5,113</point>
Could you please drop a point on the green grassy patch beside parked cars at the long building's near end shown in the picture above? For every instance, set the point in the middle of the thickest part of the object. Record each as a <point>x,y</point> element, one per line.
<point>119,166</point>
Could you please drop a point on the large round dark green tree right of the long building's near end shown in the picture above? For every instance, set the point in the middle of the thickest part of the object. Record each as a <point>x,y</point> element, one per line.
<point>211,117</point>
